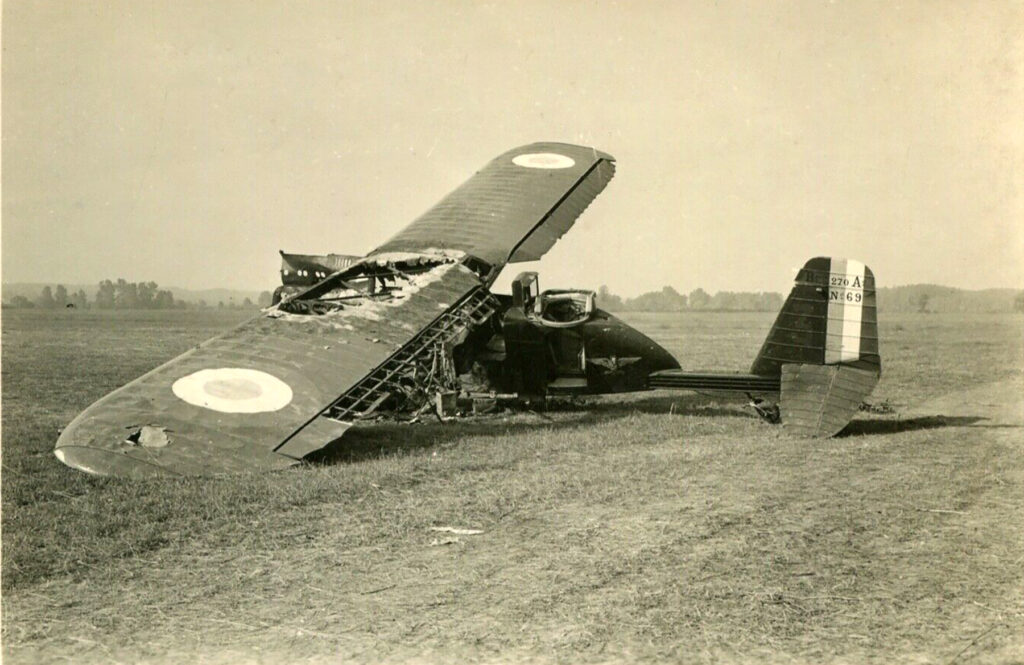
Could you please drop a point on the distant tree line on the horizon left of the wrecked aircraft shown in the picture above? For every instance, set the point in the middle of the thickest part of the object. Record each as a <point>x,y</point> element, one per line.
<point>122,295</point>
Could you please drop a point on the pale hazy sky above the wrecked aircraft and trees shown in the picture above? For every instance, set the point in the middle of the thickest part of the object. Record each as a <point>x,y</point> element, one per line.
<point>187,143</point>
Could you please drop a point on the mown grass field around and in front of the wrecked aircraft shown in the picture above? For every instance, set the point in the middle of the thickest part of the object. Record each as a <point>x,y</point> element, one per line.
<point>659,527</point>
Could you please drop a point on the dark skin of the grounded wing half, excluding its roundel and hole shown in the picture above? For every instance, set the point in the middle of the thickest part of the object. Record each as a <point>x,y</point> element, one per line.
<point>318,357</point>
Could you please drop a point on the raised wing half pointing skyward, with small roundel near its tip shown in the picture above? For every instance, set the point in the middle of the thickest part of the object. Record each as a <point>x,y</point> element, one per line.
<point>514,210</point>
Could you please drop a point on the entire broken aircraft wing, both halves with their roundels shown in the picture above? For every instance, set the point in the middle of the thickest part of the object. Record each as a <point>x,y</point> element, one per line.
<point>286,383</point>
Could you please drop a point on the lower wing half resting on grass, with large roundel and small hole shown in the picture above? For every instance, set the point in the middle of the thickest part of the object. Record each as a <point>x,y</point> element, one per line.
<point>251,399</point>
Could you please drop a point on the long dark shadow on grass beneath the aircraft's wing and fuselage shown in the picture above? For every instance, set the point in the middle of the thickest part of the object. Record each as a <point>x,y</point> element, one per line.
<point>386,439</point>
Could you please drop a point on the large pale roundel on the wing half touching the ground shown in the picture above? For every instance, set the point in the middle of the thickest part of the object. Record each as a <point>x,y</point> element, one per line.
<point>234,390</point>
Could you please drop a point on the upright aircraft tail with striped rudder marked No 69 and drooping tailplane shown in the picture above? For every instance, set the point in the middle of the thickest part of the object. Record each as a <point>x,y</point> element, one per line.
<point>825,347</point>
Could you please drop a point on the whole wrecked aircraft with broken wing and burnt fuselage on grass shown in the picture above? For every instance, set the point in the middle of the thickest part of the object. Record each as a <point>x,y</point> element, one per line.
<point>414,324</point>
